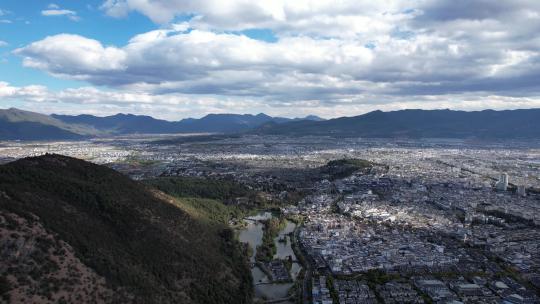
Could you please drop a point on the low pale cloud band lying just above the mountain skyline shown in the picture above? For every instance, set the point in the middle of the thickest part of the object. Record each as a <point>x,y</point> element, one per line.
<point>174,106</point>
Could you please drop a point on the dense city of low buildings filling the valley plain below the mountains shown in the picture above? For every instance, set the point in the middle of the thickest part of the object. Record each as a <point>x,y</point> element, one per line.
<point>413,222</point>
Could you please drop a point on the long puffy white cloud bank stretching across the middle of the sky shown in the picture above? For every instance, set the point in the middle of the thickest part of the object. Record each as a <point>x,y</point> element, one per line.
<point>294,67</point>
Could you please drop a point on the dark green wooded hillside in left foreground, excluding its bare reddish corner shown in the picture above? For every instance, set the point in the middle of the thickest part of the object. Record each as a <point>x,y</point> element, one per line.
<point>141,243</point>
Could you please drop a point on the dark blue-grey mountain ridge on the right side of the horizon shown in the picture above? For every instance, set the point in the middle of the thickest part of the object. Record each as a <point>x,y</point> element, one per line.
<point>487,124</point>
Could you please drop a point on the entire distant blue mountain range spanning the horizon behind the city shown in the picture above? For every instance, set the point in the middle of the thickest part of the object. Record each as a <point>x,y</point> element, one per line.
<point>487,124</point>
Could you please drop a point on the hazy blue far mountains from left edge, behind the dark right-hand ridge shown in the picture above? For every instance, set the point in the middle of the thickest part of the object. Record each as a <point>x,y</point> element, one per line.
<point>17,124</point>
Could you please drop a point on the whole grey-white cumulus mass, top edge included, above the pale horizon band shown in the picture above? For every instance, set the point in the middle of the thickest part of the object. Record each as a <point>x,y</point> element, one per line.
<point>327,55</point>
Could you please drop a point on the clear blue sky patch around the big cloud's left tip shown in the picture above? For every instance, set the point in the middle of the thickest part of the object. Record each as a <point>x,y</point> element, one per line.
<point>28,25</point>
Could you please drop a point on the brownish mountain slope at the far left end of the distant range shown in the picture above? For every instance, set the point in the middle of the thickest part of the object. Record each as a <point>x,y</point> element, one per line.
<point>24,125</point>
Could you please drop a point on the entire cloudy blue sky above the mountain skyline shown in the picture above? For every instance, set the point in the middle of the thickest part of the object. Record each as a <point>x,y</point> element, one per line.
<point>181,58</point>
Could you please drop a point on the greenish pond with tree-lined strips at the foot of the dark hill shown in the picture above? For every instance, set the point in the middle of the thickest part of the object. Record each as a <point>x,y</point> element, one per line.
<point>252,235</point>
